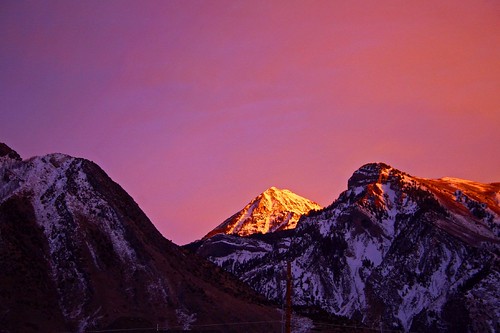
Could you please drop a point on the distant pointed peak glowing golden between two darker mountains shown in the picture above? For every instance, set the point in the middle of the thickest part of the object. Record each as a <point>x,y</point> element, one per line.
<point>272,210</point>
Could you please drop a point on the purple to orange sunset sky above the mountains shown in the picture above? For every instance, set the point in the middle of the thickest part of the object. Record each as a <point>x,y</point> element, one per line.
<point>196,107</point>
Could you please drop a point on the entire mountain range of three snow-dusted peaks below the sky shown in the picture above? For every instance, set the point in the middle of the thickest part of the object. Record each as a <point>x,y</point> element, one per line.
<point>392,252</point>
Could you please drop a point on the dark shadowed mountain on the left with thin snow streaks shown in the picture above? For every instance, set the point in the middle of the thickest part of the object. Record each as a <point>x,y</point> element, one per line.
<point>78,254</point>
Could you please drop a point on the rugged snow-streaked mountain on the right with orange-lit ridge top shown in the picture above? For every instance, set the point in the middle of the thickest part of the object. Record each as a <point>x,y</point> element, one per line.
<point>394,251</point>
